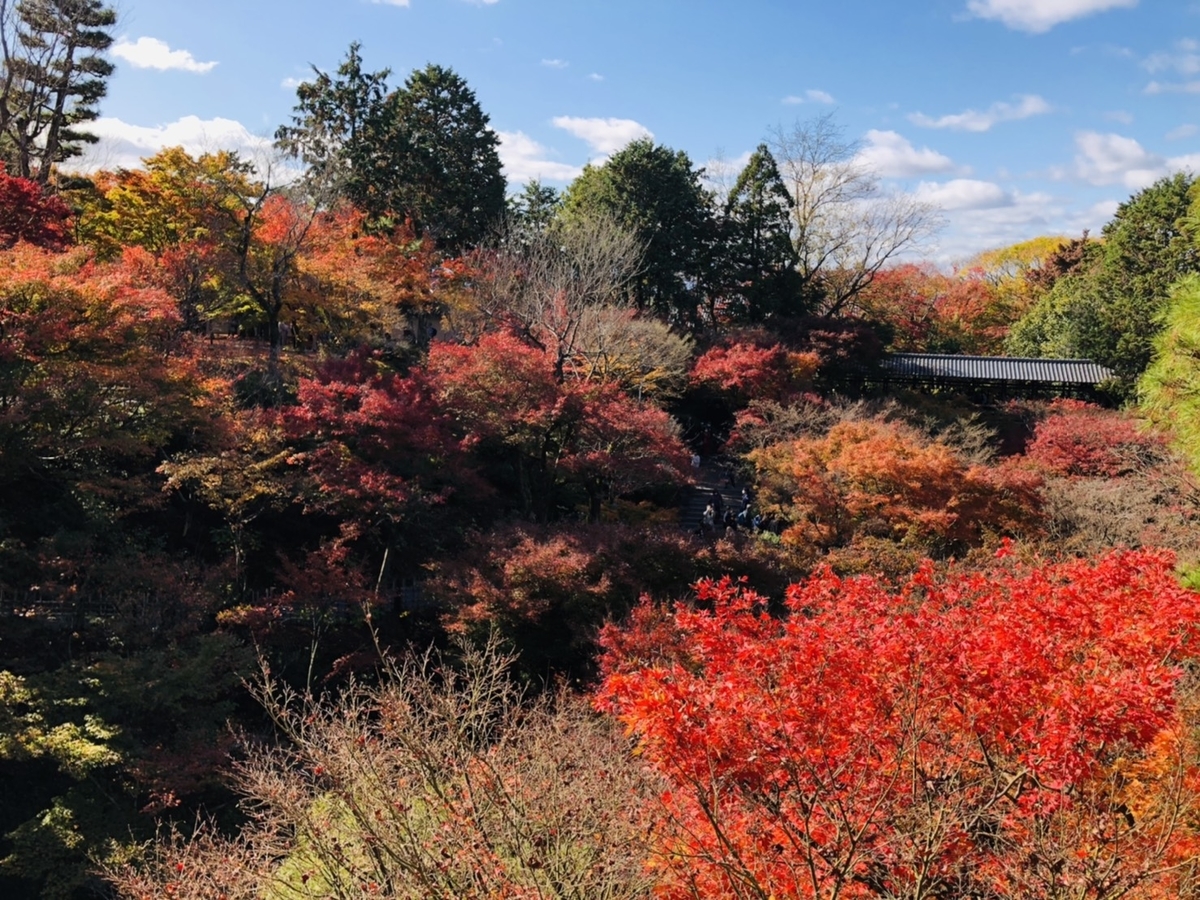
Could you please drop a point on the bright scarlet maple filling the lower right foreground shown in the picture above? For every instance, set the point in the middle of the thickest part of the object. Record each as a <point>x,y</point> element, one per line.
<point>1021,734</point>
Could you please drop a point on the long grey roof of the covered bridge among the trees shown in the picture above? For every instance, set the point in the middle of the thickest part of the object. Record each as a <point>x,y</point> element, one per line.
<point>929,367</point>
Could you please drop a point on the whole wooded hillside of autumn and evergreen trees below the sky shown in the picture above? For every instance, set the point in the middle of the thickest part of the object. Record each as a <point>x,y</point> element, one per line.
<point>373,527</point>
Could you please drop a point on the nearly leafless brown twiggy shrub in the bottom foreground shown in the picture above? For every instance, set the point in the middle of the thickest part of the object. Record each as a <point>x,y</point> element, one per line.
<point>441,783</point>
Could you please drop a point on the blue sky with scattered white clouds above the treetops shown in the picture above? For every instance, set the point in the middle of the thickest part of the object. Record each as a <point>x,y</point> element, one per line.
<point>1017,118</point>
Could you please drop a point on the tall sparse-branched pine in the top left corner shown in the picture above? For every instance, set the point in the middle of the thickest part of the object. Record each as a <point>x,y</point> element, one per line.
<point>53,76</point>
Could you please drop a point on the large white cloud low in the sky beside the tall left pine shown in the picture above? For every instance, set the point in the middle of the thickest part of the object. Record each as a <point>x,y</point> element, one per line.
<point>124,146</point>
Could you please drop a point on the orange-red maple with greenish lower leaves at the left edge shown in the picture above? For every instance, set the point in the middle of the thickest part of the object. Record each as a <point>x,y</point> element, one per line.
<point>89,362</point>
